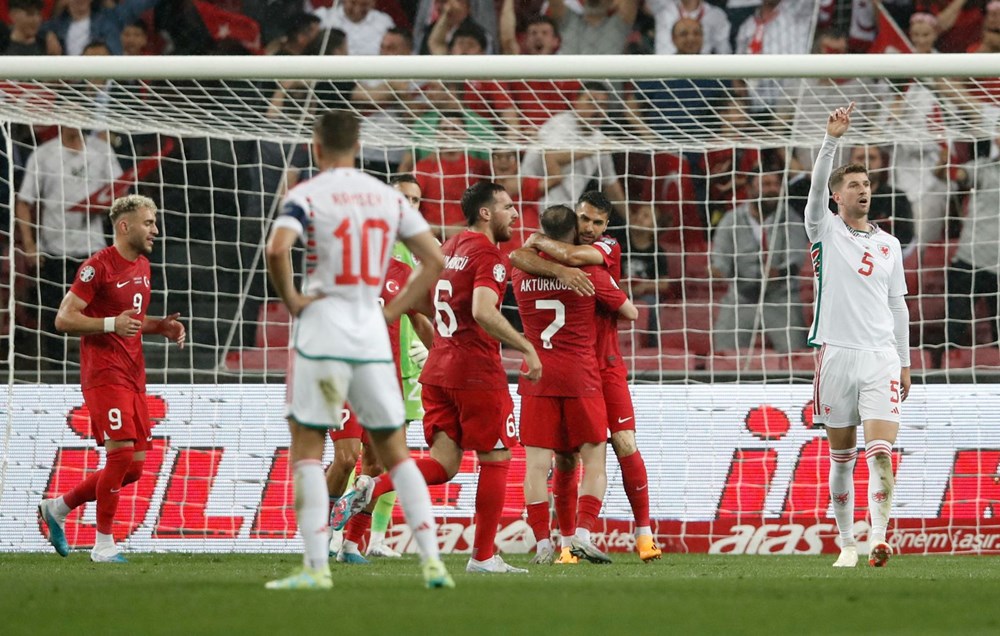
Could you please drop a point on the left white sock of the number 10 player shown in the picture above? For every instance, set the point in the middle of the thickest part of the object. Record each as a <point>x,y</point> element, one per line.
<point>312,512</point>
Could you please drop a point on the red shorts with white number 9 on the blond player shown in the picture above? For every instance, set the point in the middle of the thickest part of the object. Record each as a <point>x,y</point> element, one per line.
<point>119,413</point>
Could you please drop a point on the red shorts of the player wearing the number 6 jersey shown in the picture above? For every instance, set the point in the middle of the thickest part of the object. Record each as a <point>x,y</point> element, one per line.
<point>477,419</point>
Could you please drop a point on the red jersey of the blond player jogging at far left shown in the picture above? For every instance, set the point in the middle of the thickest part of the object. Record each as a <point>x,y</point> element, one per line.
<point>110,284</point>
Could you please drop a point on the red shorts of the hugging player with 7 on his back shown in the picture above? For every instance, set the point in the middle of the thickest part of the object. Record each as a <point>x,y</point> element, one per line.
<point>562,423</point>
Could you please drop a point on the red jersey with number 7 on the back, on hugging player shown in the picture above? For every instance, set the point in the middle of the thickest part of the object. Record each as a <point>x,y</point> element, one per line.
<point>560,324</point>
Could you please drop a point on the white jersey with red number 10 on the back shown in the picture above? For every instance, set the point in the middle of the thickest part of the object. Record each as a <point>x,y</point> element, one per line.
<point>348,222</point>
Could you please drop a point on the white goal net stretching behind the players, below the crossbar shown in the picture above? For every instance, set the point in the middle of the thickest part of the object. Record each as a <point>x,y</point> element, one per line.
<point>707,162</point>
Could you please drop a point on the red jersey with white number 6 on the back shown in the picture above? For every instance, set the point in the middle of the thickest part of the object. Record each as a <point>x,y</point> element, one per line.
<point>464,356</point>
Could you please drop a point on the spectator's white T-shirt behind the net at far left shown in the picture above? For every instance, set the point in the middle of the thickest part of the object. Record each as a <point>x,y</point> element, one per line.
<point>61,181</point>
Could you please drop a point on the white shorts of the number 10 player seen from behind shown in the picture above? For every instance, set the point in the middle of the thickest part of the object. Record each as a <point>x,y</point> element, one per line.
<point>317,389</point>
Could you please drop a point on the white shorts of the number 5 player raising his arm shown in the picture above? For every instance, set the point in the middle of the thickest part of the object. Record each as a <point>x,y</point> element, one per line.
<point>854,385</point>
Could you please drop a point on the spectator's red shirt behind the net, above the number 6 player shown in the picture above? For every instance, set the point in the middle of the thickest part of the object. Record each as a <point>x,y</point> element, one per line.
<point>443,182</point>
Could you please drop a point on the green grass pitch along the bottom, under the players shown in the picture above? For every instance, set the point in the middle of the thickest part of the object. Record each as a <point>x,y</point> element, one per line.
<point>682,594</point>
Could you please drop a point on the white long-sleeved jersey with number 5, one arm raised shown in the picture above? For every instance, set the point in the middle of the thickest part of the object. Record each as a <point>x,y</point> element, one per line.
<point>855,272</point>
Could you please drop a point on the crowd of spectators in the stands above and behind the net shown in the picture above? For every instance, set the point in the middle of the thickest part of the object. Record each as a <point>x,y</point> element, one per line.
<point>709,237</point>
